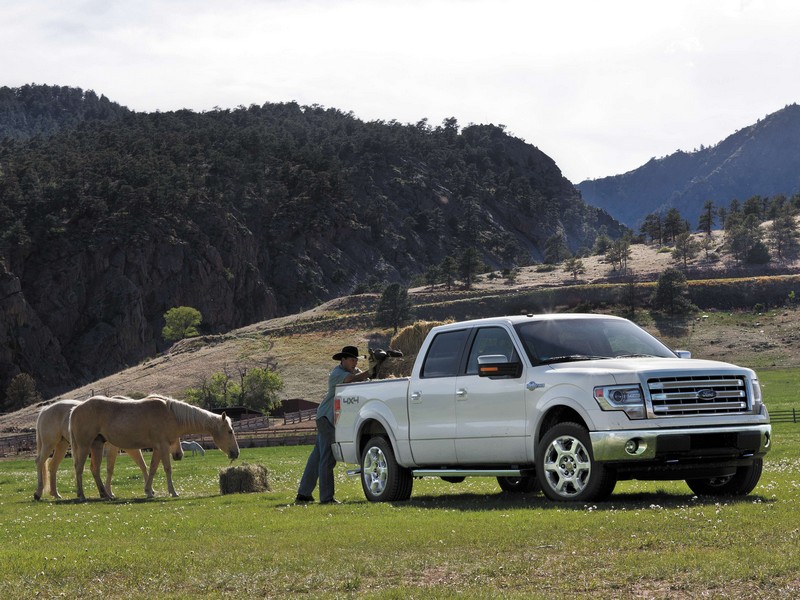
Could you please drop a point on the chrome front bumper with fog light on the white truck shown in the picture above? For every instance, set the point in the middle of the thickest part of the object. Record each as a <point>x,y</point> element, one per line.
<point>670,445</point>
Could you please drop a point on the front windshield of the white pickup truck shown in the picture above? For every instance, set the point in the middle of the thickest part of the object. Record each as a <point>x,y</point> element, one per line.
<point>560,340</point>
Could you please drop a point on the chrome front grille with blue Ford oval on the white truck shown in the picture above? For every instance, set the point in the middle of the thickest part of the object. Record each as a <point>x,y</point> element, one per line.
<point>698,395</point>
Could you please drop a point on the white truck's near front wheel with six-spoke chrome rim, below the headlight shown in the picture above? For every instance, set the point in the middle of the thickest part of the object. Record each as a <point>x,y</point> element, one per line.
<point>566,468</point>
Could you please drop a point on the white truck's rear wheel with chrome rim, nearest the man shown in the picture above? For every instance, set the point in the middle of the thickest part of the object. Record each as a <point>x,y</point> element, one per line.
<point>382,479</point>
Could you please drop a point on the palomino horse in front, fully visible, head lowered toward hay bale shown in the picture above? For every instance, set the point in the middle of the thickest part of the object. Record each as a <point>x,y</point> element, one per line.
<point>155,422</point>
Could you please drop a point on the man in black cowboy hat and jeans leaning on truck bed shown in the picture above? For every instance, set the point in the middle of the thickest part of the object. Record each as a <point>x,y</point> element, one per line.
<point>321,461</point>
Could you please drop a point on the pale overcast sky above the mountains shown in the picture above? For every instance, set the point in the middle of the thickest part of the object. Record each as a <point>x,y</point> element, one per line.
<point>601,86</point>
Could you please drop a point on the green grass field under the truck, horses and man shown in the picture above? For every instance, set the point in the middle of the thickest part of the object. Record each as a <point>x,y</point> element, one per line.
<point>650,540</point>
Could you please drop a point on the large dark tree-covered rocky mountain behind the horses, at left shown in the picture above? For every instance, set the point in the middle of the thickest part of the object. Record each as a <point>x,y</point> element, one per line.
<point>108,218</point>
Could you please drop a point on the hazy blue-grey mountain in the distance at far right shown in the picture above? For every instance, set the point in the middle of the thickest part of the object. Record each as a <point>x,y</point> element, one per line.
<point>760,160</point>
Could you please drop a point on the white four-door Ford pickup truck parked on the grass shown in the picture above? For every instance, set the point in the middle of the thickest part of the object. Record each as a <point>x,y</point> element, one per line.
<point>569,403</point>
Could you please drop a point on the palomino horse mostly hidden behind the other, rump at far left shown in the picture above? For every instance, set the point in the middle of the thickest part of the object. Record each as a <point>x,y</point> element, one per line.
<point>52,436</point>
